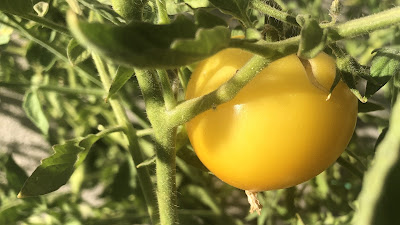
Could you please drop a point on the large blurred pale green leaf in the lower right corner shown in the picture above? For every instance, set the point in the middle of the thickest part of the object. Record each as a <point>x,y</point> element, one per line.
<point>379,197</point>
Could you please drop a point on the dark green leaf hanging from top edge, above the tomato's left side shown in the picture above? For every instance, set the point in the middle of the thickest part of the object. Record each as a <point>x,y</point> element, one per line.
<point>236,8</point>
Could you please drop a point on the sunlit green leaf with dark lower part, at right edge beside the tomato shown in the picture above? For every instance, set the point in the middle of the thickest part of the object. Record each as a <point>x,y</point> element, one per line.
<point>384,65</point>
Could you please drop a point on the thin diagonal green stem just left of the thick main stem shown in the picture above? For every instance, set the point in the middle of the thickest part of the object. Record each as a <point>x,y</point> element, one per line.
<point>134,149</point>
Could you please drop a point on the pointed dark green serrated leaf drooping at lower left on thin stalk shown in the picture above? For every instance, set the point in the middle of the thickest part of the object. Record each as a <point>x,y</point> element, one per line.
<point>56,170</point>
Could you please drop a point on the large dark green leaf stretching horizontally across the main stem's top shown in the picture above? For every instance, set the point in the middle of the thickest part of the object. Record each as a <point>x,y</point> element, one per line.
<point>146,45</point>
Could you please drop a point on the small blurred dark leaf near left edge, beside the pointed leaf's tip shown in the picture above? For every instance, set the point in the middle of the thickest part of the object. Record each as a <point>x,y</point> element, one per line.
<point>15,174</point>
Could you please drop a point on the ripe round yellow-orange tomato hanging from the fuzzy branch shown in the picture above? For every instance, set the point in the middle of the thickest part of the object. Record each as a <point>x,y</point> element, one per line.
<point>279,130</point>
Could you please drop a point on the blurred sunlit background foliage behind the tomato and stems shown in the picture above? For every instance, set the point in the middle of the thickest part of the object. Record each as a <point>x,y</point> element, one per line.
<point>104,190</point>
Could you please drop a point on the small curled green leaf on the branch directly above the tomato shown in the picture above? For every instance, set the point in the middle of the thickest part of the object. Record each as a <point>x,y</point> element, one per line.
<point>313,39</point>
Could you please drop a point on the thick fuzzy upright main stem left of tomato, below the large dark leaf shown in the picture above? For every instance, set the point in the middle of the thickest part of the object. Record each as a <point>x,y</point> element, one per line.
<point>165,138</point>
